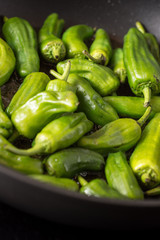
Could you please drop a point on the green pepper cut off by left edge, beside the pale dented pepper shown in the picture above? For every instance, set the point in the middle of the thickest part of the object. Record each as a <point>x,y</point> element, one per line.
<point>6,126</point>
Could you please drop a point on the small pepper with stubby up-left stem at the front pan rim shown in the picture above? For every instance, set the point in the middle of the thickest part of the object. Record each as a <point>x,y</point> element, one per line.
<point>98,188</point>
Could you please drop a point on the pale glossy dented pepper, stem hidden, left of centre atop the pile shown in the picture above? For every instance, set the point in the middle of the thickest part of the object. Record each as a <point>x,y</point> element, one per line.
<point>42,108</point>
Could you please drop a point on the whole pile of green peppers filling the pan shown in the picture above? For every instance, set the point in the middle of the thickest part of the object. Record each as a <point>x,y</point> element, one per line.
<point>91,119</point>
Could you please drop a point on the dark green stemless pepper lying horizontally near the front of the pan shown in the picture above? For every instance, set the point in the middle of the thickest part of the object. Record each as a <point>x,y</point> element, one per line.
<point>71,161</point>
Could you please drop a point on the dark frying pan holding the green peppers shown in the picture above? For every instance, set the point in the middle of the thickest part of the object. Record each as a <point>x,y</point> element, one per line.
<point>55,204</point>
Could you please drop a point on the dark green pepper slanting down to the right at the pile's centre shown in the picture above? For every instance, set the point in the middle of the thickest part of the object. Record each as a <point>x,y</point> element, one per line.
<point>91,103</point>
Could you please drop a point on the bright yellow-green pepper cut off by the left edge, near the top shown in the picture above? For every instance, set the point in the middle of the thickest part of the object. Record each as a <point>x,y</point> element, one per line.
<point>7,62</point>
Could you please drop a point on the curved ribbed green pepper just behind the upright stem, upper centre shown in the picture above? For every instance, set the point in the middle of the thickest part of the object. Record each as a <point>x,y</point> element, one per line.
<point>101,78</point>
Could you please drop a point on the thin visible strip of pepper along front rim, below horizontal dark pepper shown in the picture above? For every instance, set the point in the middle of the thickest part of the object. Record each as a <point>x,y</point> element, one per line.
<point>65,183</point>
